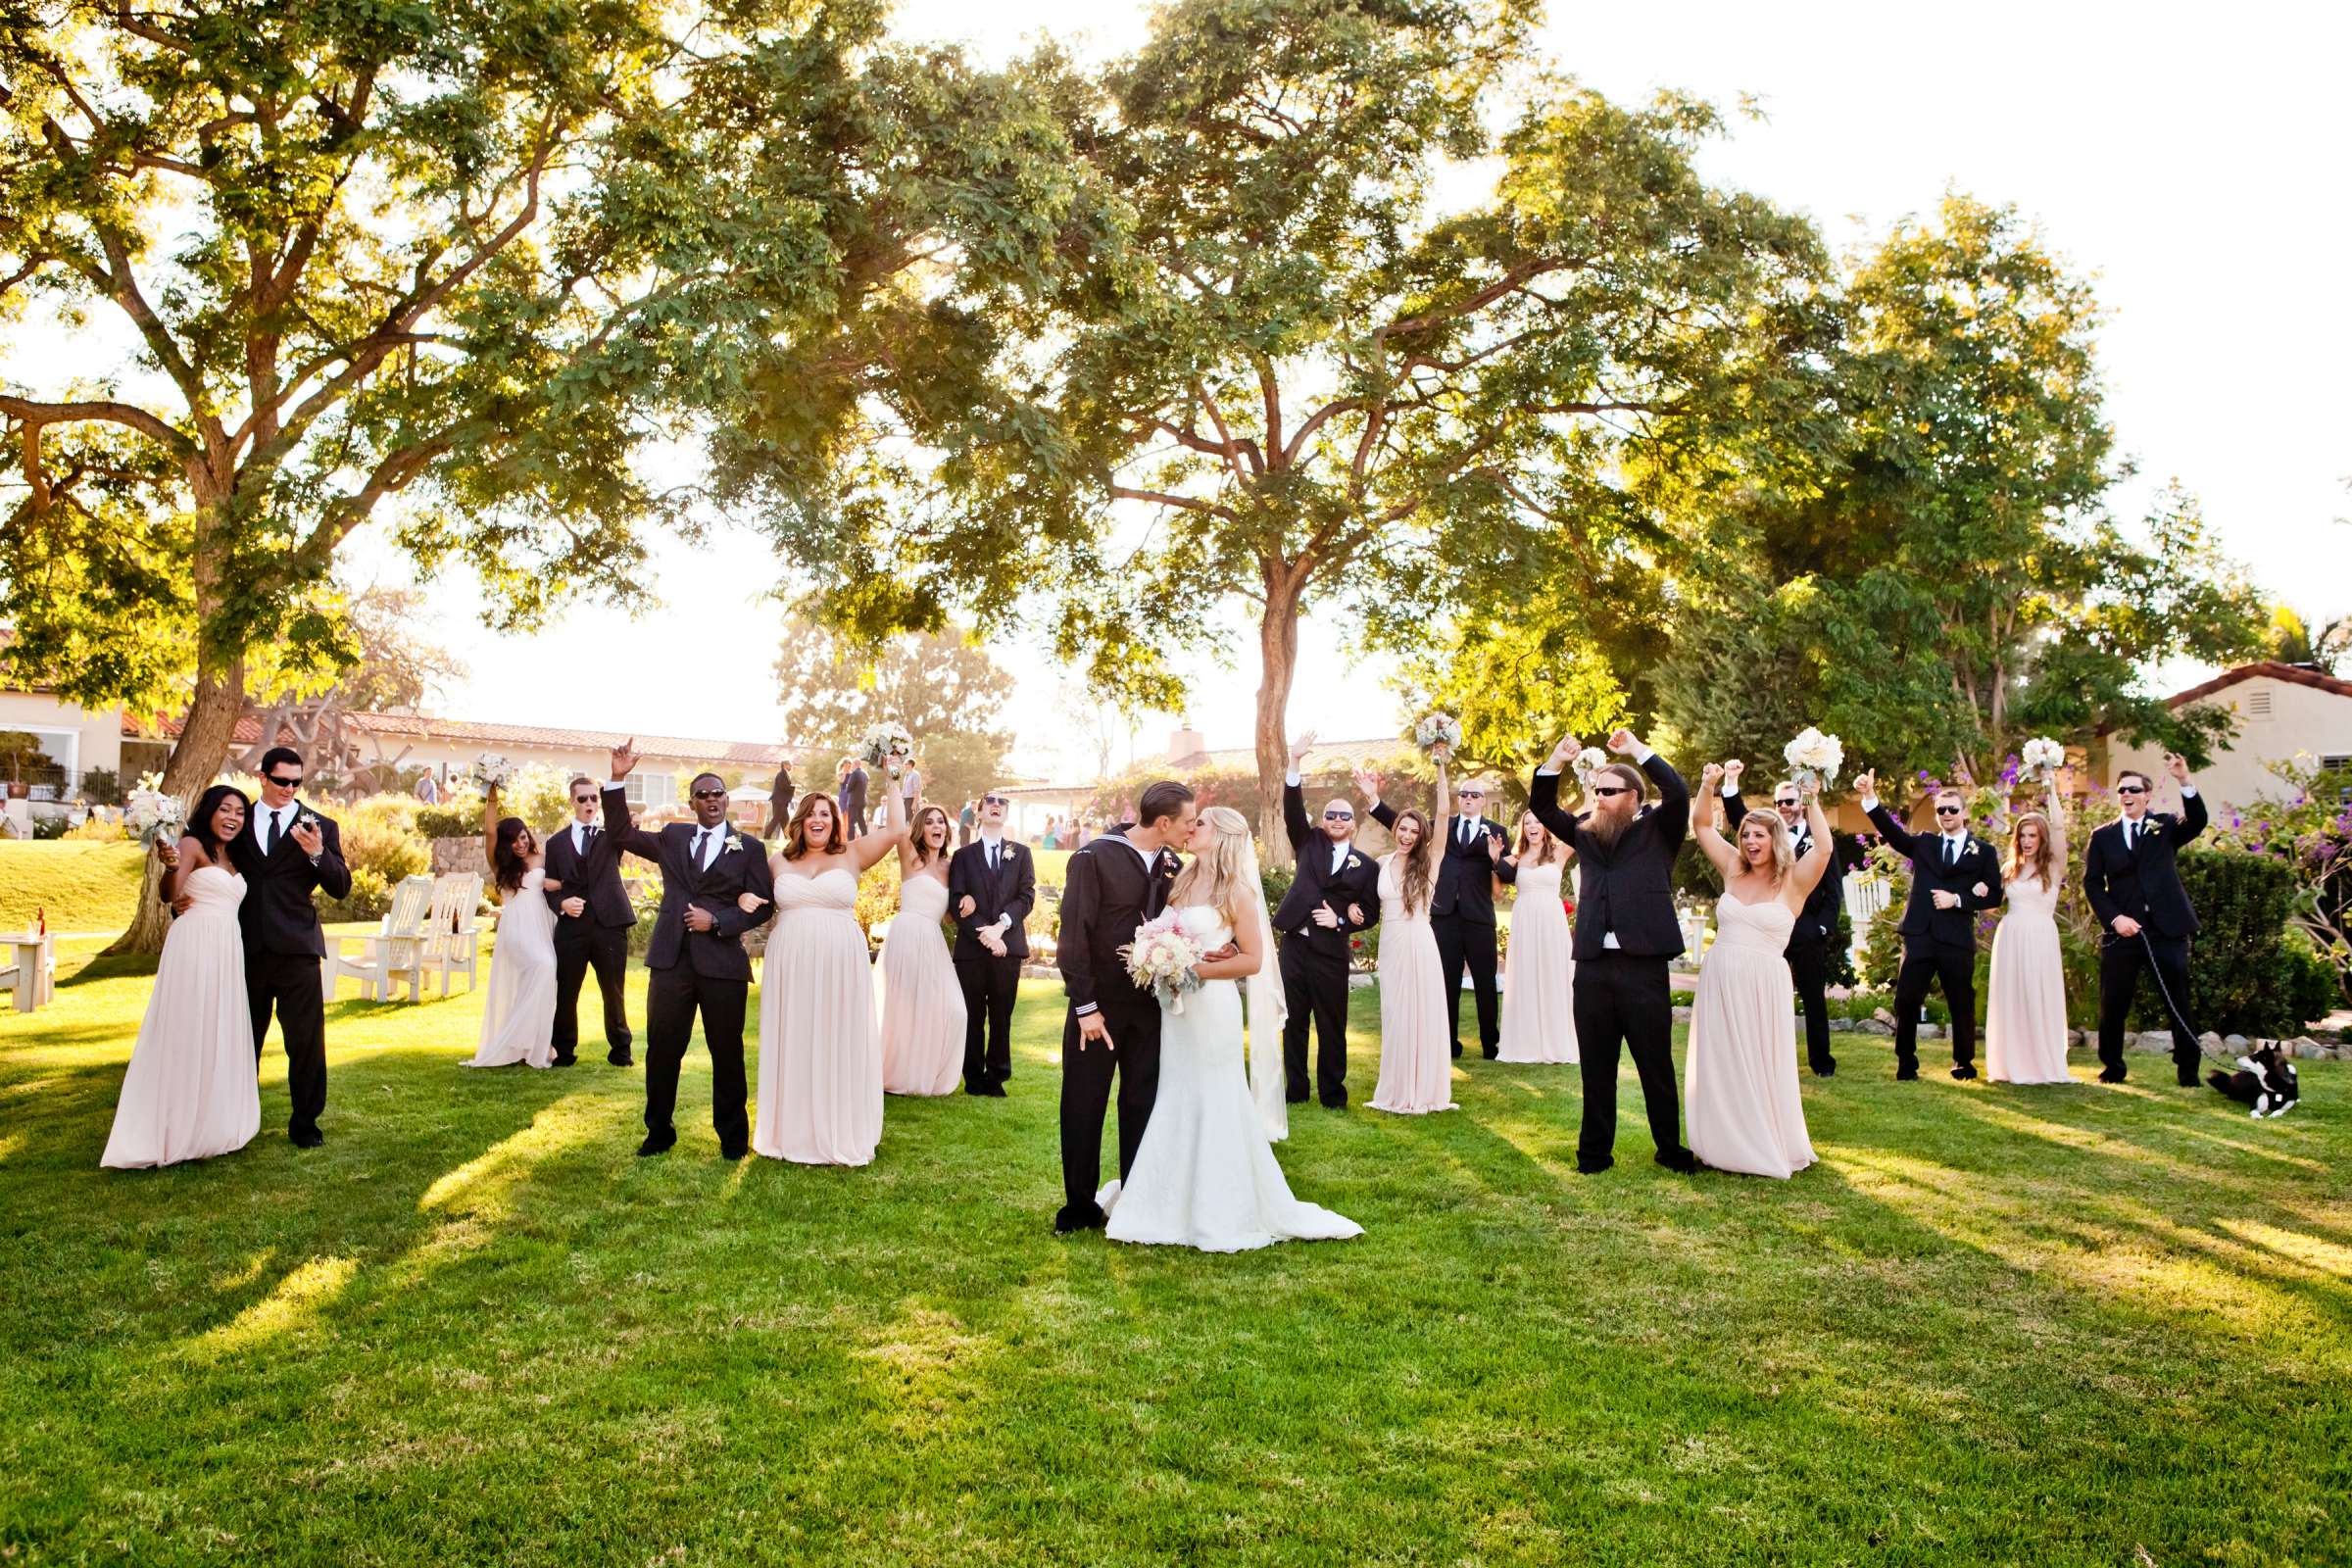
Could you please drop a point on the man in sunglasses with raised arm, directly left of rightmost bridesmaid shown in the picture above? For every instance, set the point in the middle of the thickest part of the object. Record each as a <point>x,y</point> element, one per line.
<point>1956,876</point>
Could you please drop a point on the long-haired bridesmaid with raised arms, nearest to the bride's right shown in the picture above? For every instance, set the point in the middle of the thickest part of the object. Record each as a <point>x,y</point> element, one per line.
<point>1417,1043</point>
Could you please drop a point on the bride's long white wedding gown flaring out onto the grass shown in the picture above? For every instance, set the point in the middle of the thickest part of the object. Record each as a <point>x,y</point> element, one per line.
<point>1205,1174</point>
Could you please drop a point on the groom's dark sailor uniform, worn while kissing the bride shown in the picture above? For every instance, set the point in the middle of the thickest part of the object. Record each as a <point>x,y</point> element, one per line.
<point>1109,892</point>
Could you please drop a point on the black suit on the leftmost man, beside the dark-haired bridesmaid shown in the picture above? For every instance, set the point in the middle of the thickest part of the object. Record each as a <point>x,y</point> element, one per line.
<point>286,946</point>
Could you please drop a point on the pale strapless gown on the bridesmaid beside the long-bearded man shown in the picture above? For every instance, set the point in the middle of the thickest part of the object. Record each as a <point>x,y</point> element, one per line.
<point>1746,1111</point>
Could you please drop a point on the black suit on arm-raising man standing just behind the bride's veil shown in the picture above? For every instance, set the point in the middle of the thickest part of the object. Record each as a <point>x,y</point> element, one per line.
<point>1316,958</point>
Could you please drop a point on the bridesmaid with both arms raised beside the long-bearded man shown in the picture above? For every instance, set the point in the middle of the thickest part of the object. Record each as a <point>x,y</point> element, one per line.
<point>1746,1113</point>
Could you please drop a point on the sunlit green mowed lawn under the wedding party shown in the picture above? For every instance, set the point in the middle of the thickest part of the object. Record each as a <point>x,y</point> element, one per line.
<point>1993,1327</point>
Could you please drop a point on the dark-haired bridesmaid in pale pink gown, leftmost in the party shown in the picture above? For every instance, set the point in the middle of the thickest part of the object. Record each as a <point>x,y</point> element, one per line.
<point>192,1090</point>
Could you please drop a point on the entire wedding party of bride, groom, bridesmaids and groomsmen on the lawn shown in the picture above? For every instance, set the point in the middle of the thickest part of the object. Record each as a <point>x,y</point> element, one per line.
<point>1189,998</point>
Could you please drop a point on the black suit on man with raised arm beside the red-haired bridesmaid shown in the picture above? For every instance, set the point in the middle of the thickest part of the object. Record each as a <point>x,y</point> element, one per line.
<point>697,972</point>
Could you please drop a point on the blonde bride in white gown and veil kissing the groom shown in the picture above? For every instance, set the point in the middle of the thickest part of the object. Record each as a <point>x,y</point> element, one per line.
<point>1205,1174</point>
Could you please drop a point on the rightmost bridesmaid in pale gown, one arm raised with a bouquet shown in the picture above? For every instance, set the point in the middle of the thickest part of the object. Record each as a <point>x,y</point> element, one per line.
<point>2026,1007</point>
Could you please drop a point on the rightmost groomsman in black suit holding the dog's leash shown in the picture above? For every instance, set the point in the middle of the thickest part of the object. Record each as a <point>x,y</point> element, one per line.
<point>2132,880</point>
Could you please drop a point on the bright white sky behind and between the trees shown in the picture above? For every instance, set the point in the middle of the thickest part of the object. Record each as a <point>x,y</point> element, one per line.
<point>2189,156</point>
